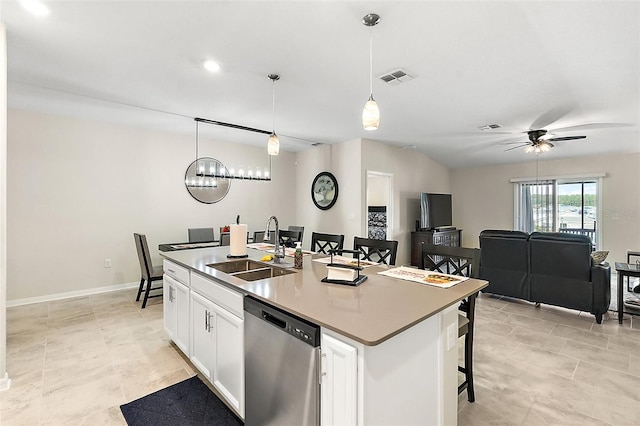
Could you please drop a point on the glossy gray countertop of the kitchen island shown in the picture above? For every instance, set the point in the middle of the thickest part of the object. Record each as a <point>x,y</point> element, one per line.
<point>371,313</point>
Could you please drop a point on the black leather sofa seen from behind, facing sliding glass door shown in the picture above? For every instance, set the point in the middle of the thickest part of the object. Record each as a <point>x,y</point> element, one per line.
<point>545,267</point>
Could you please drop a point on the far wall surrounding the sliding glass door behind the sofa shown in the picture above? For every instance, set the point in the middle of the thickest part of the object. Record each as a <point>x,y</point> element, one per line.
<point>483,197</point>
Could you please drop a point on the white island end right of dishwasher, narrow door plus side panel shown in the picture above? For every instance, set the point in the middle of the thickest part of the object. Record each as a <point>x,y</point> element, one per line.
<point>361,382</point>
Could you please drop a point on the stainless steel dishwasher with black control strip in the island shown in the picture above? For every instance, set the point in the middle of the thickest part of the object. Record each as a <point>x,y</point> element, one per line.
<point>281,367</point>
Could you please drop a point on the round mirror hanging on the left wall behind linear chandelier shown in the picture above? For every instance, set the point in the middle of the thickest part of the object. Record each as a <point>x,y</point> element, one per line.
<point>206,180</point>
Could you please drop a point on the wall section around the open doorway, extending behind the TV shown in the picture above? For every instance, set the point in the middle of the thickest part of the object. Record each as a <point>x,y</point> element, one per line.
<point>413,173</point>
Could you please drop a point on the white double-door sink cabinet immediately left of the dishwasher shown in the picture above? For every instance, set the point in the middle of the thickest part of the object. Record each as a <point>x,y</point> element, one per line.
<point>217,339</point>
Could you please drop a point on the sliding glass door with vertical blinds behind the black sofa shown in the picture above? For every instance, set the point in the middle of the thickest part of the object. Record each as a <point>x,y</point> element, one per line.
<point>568,205</point>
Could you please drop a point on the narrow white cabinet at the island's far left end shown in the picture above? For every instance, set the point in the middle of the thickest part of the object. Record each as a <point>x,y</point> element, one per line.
<point>175,301</point>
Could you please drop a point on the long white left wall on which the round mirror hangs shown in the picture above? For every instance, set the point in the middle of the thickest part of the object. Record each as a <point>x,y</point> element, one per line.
<point>78,190</point>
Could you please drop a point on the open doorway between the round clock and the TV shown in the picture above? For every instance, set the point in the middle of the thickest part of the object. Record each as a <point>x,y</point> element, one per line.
<point>379,211</point>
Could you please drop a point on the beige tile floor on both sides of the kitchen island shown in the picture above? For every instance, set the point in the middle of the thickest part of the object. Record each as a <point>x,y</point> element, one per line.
<point>75,361</point>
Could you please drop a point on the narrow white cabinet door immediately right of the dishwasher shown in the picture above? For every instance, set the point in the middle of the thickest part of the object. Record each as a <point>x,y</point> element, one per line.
<point>339,382</point>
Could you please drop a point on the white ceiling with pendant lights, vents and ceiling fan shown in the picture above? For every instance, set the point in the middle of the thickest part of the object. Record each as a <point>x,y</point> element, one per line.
<point>520,64</point>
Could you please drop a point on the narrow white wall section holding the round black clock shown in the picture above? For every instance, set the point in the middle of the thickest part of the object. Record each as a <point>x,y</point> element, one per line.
<point>345,217</point>
